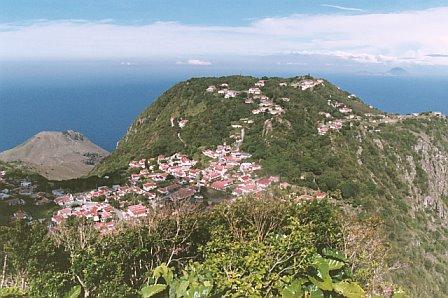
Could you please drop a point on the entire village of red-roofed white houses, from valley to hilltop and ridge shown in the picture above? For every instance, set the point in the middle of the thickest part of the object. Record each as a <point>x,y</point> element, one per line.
<point>155,182</point>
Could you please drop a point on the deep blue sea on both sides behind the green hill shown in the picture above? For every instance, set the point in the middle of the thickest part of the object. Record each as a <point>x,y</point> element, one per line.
<point>102,106</point>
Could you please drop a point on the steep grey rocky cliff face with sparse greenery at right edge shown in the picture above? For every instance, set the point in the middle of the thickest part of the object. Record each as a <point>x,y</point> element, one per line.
<point>410,166</point>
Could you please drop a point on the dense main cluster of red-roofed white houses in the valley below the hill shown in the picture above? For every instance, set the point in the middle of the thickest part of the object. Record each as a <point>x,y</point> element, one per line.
<point>165,179</point>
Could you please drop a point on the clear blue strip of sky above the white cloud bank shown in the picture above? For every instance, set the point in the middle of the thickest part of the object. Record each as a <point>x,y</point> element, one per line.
<point>216,12</point>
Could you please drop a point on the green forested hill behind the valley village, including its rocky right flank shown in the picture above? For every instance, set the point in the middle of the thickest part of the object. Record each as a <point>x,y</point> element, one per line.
<point>311,133</point>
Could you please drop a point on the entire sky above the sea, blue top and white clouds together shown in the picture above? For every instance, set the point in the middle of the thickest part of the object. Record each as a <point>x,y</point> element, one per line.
<point>352,35</point>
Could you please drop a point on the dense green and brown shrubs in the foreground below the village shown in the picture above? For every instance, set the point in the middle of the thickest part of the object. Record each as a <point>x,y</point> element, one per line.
<point>251,247</point>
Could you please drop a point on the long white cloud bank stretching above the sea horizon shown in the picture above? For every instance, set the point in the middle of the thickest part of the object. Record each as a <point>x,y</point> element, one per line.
<point>402,37</point>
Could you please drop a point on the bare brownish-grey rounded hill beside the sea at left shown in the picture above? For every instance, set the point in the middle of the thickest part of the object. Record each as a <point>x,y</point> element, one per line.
<point>57,155</point>
